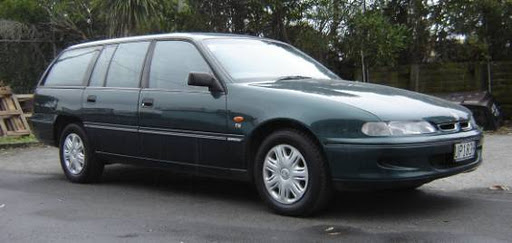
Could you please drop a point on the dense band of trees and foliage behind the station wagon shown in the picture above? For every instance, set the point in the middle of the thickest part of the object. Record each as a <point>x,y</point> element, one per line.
<point>388,32</point>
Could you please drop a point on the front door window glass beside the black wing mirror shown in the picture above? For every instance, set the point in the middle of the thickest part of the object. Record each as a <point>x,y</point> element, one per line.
<point>171,64</point>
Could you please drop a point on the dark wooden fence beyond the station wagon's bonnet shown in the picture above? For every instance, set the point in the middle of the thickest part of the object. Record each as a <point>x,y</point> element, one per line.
<point>451,77</point>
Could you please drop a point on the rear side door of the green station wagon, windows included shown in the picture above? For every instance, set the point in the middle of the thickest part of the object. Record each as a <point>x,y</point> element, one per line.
<point>110,102</point>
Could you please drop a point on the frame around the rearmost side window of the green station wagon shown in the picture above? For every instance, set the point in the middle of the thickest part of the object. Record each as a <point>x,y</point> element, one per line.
<point>87,74</point>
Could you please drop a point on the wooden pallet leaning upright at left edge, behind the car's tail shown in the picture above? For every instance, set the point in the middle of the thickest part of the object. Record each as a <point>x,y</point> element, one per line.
<point>12,119</point>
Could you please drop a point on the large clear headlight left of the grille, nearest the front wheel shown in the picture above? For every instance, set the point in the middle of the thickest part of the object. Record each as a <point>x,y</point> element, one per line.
<point>397,128</point>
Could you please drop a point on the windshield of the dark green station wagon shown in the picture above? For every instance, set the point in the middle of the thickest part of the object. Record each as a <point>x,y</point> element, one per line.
<point>255,60</point>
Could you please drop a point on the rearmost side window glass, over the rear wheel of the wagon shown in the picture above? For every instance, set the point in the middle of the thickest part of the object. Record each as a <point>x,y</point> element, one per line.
<point>71,67</point>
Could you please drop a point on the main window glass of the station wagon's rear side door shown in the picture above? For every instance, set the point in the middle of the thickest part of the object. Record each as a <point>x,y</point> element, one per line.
<point>126,65</point>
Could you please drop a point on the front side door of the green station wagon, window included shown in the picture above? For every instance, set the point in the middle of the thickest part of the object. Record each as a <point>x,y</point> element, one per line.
<point>178,122</point>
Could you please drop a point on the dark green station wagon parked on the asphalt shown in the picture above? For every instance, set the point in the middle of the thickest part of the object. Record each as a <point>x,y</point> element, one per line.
<point>245,108</point>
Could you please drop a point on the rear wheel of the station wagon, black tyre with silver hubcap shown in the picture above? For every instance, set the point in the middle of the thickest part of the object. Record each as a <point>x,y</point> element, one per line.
<point>76,156</point>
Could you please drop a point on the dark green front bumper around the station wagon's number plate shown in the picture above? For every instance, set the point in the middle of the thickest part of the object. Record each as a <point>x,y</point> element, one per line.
<point>395,164</point>
